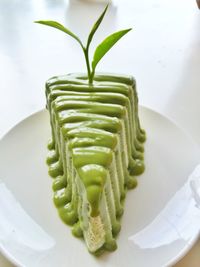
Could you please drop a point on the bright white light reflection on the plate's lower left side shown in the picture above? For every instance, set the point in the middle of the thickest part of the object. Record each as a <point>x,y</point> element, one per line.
<point>19,233</point>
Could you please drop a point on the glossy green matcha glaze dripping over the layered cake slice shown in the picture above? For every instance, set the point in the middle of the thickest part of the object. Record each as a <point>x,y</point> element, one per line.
<point>92,127</point>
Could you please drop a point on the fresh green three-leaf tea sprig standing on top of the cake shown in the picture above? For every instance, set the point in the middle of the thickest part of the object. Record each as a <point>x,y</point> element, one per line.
<point>101,49</point>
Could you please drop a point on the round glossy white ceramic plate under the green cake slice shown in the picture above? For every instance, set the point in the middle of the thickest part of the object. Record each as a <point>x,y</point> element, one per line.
<point>153,232</point>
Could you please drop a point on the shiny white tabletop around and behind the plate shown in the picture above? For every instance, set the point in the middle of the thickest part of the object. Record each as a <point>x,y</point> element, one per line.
<point>162,52</point>
